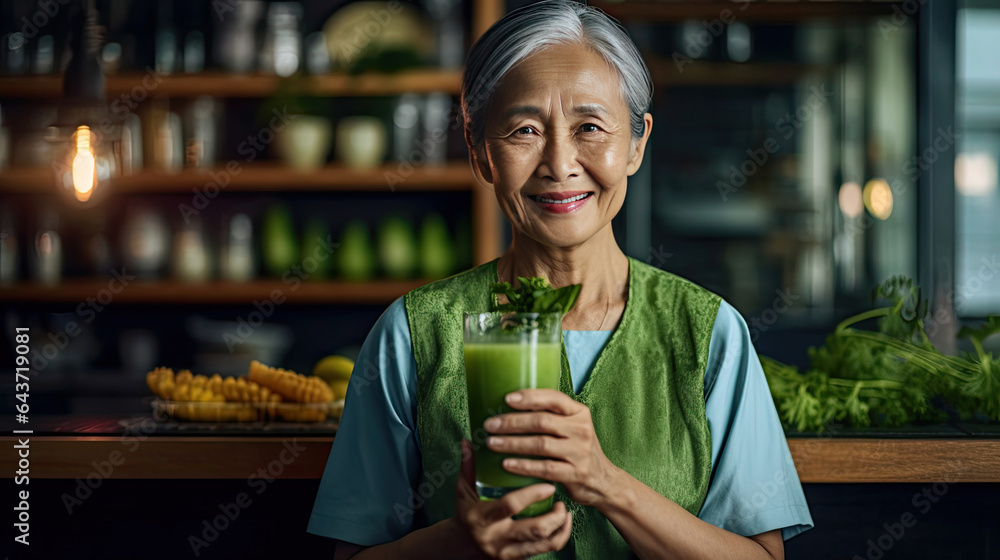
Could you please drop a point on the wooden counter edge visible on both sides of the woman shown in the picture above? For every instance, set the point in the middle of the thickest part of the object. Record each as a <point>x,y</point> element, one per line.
<point>822,460</point>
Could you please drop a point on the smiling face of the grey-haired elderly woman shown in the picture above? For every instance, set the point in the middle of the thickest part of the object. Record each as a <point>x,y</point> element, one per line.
<point>558,145</point>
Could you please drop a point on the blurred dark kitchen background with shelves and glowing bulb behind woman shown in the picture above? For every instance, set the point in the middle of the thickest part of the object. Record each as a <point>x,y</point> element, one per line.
<point>268,176</point>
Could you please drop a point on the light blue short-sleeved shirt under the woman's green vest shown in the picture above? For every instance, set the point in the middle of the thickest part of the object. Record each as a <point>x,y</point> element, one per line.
<point>375,460</point>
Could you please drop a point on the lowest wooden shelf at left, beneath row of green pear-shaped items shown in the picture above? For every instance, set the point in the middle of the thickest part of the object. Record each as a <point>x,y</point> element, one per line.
<point>241,293</point>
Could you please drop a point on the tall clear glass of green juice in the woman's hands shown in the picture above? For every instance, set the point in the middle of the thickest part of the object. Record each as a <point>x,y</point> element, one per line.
<point>505,352</point>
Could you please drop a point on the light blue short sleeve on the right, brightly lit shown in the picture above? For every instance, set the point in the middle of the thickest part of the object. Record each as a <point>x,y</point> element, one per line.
<point>754,487</point>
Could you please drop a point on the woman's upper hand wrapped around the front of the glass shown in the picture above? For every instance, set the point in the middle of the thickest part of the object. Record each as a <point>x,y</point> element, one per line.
<point>562,431</point>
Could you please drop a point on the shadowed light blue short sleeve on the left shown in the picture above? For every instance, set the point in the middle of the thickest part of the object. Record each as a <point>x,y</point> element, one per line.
<point>375,460</point>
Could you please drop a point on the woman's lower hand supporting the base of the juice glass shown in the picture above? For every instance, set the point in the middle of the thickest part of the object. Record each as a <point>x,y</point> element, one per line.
<point>491,527</point>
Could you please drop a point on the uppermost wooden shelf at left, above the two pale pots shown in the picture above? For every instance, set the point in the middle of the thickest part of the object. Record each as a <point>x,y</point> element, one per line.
<point>224,84</point>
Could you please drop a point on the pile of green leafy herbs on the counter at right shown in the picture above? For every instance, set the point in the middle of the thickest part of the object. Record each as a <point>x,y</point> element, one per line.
<point>887,377</point>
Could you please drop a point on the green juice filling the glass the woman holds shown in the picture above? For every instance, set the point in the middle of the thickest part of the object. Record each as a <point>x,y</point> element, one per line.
<point>494,369</point>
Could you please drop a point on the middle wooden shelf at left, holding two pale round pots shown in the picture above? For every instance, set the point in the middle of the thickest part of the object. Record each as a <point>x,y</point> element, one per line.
<point>263,177</point>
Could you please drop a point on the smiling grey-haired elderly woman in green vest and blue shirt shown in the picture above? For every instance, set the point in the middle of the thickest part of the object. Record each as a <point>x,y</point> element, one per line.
<point>664,441</point>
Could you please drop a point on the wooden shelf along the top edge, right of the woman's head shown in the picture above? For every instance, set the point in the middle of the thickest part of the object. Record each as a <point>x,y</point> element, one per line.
<point>783,11</point>
